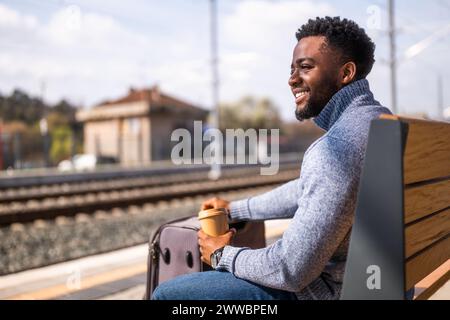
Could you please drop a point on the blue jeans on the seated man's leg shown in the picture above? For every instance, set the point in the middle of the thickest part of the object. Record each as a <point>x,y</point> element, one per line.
<point>216,285</point>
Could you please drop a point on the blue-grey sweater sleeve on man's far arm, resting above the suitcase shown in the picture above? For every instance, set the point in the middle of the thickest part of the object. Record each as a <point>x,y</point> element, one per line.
<point>279,203</point>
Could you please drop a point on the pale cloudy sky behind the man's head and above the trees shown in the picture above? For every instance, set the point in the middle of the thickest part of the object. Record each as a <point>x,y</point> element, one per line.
<point>88,51</point>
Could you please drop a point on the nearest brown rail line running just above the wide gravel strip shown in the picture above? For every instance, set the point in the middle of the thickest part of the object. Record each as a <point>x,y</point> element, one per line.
<point>90,199</point>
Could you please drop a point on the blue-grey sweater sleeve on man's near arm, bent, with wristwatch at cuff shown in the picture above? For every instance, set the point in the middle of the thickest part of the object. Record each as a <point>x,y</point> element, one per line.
<point>321,221</point>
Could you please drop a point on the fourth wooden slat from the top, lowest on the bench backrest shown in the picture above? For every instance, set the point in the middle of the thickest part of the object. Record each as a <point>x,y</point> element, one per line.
<point>423,264</point>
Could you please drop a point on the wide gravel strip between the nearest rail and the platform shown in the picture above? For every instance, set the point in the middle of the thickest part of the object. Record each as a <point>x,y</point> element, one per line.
<point>44,242</point>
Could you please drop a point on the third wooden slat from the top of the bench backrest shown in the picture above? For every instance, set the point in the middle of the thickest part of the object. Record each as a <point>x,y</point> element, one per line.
<point>425,232</point>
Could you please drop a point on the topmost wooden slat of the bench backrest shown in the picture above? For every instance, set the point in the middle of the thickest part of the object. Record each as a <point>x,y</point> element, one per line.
<point>427,151</point>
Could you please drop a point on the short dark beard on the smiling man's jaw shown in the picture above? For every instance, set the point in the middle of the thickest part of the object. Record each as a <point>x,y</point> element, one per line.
<point>317,100</point>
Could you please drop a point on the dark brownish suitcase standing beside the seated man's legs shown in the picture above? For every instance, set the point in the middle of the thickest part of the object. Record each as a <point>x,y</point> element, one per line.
<point>174,251</point>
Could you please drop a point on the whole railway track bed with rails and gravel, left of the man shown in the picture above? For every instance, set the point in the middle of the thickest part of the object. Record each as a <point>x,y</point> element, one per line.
<point>45,221</point>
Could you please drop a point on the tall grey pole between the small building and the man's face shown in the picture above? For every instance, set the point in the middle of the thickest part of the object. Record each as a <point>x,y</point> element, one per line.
<point>215,171</point>
